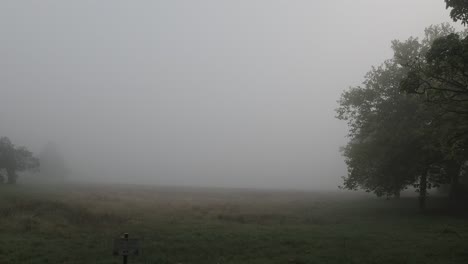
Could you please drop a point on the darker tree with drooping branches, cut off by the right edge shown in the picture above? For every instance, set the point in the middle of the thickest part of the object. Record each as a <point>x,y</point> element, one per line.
<point>439,76</point>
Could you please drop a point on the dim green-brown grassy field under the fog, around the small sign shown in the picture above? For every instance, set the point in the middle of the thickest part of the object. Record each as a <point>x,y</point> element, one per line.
<point>77,224</point>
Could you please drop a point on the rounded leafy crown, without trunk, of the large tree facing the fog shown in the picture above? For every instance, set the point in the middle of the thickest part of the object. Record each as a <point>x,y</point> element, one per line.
<point>391,136</point>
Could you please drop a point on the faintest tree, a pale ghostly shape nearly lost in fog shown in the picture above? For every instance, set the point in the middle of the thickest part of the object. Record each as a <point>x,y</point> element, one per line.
<point>53,166</point>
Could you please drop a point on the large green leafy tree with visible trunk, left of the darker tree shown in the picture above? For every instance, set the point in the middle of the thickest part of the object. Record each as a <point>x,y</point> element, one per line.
<point>395,137</point>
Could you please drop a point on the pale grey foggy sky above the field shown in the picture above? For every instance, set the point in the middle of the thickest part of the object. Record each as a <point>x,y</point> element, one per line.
<point>207,92</point>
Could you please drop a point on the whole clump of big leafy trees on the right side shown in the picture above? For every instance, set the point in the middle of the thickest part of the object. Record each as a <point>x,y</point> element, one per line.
<point>409,120</point>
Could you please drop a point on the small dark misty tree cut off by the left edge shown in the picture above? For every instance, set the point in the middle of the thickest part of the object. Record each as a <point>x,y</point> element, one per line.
<point>15,159</point>
